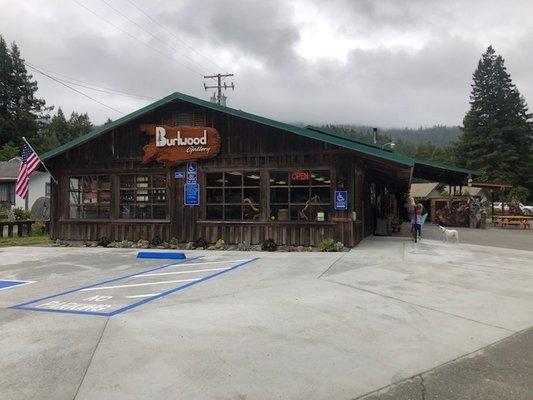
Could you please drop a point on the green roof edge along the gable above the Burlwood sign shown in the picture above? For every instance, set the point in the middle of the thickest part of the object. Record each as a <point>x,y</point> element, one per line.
<point>310,133</point>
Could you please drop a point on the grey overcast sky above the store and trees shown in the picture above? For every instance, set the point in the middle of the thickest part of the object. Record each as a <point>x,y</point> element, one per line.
<point>383,63</point>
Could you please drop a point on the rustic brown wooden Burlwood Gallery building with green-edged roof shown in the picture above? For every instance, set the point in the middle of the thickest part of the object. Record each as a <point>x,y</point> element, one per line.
<point>186,168</point>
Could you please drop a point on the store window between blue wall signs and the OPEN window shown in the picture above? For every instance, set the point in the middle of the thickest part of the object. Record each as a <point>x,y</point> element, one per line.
<point>233,195</point>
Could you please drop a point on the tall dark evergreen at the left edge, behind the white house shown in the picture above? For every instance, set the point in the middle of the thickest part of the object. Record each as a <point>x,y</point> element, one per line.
<point>21,112</point>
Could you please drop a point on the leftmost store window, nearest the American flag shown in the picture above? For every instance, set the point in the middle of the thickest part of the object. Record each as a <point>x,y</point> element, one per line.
<point>90,197</point>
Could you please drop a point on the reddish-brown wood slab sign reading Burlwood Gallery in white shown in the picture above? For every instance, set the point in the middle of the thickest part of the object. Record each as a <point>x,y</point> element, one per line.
<point>171,145</point>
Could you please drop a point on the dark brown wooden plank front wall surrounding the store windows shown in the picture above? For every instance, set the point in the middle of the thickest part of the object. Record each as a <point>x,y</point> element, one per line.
<point>244,145</point>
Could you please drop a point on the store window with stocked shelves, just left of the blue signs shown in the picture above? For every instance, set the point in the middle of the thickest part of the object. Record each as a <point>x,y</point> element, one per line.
<point>143,196</point>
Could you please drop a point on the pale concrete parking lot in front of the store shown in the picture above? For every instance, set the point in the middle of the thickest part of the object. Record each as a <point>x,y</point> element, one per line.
<point>89,323</point>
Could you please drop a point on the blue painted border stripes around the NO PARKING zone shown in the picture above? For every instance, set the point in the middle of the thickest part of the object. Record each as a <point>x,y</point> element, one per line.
<point>23,306</point>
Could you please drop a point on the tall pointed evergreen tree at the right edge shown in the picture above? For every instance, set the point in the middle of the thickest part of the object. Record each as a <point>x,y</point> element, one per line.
<point>497,135</point>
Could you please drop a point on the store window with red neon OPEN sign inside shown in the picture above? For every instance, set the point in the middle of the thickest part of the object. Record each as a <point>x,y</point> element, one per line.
<point>300,195</point>
